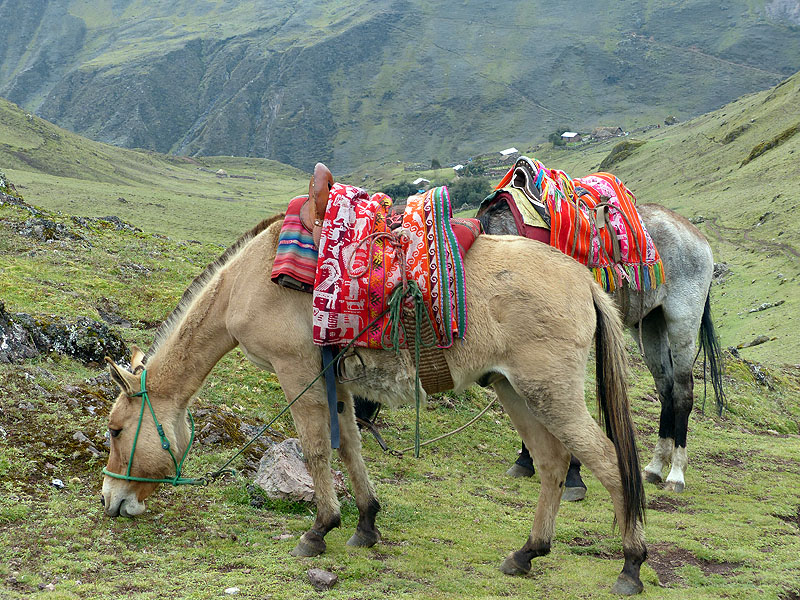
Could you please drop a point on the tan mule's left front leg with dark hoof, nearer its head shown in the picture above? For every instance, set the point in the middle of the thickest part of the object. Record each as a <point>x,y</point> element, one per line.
<point>312,421</point>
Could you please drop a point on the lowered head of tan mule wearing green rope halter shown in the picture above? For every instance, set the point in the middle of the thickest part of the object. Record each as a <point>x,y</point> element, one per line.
<point>150,460</point>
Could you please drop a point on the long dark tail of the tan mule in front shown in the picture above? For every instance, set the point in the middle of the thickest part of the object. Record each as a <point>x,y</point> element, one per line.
<point>612,397</point>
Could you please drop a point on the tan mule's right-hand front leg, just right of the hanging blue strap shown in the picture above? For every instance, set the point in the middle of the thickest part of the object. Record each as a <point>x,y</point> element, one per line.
<point>366,533</point>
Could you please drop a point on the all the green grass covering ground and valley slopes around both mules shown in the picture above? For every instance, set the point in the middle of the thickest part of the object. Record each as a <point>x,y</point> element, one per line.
<point>448,518</point>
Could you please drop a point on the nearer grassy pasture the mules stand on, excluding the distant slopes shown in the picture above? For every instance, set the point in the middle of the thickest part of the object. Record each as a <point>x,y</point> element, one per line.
<point>447,520</point>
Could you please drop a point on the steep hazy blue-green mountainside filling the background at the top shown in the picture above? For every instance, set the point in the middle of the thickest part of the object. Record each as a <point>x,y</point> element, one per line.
<point>356,81</point>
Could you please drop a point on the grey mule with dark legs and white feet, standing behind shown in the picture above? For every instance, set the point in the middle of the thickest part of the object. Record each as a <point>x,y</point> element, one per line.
<point>672,317</point>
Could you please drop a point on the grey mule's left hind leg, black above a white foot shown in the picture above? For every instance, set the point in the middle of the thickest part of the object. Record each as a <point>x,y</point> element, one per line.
<point>658,358</point>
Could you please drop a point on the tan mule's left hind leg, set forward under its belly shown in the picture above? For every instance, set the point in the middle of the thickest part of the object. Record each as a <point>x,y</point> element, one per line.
<point>551,459</point>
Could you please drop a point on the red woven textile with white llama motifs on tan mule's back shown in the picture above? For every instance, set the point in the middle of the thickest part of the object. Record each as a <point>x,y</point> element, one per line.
<point>361,262</point>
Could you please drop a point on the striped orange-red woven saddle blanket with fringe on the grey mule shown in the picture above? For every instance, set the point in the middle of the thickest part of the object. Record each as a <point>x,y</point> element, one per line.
<point>593,219</point>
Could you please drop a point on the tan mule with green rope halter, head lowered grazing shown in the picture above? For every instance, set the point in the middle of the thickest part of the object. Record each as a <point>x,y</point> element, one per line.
<point>533,315</point>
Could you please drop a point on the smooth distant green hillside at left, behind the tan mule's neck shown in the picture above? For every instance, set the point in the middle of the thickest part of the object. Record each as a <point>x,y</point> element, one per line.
<point>175,196</point>
